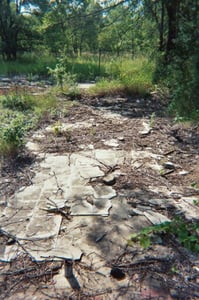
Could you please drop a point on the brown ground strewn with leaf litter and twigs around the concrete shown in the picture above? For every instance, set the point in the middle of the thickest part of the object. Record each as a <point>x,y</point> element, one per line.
<point>153,276</point>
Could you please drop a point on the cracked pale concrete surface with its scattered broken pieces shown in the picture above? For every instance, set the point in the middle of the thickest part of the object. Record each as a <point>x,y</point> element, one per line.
<point>68,213</point>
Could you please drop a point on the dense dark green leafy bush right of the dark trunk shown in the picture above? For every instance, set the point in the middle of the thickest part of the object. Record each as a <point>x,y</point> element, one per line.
<point>179,68</point>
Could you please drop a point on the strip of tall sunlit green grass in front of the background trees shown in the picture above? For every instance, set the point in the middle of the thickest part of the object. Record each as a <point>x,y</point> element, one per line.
<point>115,75</point>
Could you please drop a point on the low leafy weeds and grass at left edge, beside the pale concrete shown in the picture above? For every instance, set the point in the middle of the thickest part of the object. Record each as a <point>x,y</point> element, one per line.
<point>18,114</point>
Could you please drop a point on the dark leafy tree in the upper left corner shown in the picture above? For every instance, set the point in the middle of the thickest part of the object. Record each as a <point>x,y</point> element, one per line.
<point>16,28</point>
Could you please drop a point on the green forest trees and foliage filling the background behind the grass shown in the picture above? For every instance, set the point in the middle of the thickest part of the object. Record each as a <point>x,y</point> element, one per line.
<point>163,31</point>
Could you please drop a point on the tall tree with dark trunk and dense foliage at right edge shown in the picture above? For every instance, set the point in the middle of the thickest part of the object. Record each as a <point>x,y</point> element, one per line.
<point>178,23</point>
